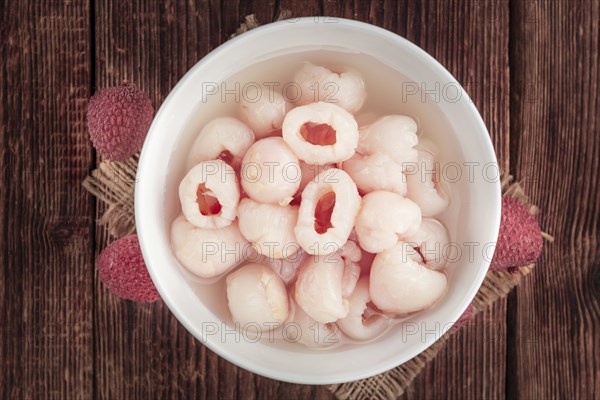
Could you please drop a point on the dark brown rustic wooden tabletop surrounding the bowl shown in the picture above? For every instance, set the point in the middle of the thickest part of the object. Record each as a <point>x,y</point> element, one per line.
<point>532,70</point>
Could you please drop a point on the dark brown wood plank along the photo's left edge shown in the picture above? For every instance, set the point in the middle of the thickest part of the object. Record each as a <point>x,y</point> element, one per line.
<point>45,215</point>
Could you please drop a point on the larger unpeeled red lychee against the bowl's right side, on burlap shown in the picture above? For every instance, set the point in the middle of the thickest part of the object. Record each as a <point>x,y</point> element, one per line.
<point>520,239</point>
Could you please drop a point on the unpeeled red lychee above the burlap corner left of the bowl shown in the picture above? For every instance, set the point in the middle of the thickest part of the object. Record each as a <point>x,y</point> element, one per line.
<point>118,120</point>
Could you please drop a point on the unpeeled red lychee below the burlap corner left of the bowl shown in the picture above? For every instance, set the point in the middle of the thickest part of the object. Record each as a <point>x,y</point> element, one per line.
<point>122,269</point>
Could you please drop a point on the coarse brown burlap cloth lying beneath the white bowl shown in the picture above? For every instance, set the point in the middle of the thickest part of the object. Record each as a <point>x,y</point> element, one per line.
<point>113,183</point>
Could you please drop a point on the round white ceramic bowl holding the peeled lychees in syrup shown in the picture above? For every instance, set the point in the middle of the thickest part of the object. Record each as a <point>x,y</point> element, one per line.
<point>474,215</point>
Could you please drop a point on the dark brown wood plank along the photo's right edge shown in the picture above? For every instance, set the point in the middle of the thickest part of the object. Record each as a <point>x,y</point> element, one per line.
<point>555,149</point>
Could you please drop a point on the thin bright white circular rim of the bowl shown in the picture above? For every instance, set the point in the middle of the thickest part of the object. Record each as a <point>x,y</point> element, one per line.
<point>147,245</point>
